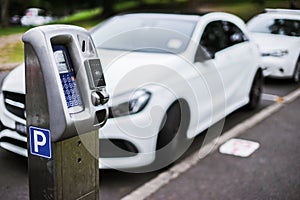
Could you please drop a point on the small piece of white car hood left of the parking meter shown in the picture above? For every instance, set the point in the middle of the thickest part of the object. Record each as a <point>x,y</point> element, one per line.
<point>15,80</point>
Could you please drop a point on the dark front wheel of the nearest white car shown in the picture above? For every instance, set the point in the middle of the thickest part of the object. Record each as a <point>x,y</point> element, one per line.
<point>172,139</point>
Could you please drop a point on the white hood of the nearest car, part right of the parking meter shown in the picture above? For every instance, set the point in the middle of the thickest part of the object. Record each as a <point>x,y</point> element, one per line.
<point>127,71</point>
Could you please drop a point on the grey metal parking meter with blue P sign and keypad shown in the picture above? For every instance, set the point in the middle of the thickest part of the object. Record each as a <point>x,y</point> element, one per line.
<point>65,106</point>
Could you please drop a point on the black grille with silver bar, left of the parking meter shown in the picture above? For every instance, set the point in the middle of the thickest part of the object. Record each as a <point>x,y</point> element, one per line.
<point>15,103</point>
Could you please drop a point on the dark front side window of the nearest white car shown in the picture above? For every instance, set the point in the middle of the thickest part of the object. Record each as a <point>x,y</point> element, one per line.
<point>213,38</point>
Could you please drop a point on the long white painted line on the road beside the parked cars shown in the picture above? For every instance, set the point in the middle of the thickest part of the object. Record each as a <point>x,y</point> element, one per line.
<point>150,187</point>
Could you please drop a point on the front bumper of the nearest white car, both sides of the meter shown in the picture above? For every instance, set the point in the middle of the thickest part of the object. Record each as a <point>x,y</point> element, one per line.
<point>125,142</point>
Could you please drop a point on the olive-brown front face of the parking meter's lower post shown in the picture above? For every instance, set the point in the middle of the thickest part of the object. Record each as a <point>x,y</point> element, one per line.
<point>79,170</point>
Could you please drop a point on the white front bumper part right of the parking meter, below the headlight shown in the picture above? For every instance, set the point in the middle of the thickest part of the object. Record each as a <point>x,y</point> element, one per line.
<point>130,141</point>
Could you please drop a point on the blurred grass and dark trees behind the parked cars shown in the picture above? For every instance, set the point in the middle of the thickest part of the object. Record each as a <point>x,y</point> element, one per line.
<point>17,16</point>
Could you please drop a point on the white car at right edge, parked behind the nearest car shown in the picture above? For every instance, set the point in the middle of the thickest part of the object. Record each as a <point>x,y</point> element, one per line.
<point>277,32</point>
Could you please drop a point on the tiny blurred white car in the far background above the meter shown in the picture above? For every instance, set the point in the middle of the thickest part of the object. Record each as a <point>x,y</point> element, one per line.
<point>35,17</point>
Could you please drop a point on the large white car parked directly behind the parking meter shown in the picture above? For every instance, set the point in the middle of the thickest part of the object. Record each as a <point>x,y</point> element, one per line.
<point>170,76</point>
